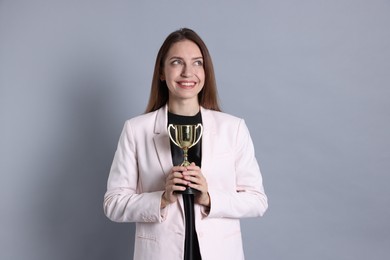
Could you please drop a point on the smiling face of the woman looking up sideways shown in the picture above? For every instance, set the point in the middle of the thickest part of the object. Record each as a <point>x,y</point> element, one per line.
<point>183,71</point>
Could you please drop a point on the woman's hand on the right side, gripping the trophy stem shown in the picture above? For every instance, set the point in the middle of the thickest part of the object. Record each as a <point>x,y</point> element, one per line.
<point>197,181</point>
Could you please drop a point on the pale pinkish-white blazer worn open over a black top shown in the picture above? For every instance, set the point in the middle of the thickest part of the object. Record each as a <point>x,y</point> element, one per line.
<point>137,181</point>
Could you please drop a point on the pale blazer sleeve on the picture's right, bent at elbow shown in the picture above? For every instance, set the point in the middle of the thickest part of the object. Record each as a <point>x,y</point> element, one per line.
<point>248,199</point>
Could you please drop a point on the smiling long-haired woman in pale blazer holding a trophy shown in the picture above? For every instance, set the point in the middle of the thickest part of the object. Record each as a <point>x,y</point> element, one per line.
<point>145,185</point>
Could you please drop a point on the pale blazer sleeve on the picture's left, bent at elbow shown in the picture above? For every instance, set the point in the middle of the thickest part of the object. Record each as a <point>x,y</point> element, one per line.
<point>122,203</point>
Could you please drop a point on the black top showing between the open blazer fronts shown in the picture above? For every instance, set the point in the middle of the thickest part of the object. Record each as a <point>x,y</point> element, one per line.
<point>191,244</point>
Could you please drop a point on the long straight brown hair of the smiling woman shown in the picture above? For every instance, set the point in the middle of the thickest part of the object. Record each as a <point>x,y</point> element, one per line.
<point>208,96</point>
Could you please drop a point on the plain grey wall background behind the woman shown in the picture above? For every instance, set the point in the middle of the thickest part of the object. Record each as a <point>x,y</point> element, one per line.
<point>311,78</point>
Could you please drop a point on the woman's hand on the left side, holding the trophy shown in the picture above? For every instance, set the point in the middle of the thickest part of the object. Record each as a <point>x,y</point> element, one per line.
<point>172,184</point>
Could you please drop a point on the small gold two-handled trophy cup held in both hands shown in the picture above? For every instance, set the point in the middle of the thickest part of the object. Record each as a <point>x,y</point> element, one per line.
<point>185,138</point>
